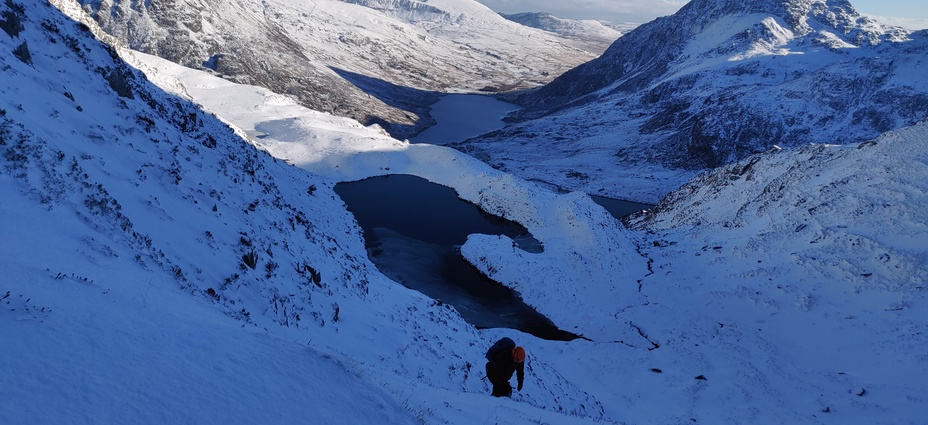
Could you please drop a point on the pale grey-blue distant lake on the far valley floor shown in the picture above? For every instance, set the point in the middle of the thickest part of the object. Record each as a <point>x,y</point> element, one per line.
<point>462,116</point>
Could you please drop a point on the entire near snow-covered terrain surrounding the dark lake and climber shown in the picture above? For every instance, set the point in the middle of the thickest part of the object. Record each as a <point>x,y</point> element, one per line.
<point>162,264</point>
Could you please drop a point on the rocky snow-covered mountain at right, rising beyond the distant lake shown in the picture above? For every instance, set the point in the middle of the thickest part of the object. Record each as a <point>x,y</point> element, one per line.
<point>714,83</point>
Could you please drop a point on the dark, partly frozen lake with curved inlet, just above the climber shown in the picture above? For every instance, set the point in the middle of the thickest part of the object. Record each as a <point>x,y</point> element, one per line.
<point>413,230</point>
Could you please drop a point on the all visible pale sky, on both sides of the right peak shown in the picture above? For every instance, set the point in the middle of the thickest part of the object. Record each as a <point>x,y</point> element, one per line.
<point>641,11</point>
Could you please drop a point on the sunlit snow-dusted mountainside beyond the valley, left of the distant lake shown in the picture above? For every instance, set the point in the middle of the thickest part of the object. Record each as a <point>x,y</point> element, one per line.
<point>375,61</point>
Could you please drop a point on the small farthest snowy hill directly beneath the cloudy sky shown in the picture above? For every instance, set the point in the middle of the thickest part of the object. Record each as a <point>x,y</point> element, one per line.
<point>587,34</point>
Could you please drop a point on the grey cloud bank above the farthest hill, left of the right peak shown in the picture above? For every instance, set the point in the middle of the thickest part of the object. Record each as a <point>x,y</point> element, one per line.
<point>639,11</point>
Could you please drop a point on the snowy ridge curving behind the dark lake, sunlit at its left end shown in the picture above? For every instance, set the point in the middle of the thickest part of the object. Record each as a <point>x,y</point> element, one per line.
<point>573,229</point>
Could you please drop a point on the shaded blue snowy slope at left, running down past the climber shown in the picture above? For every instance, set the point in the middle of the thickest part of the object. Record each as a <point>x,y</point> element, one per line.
<point>132,213</point>
